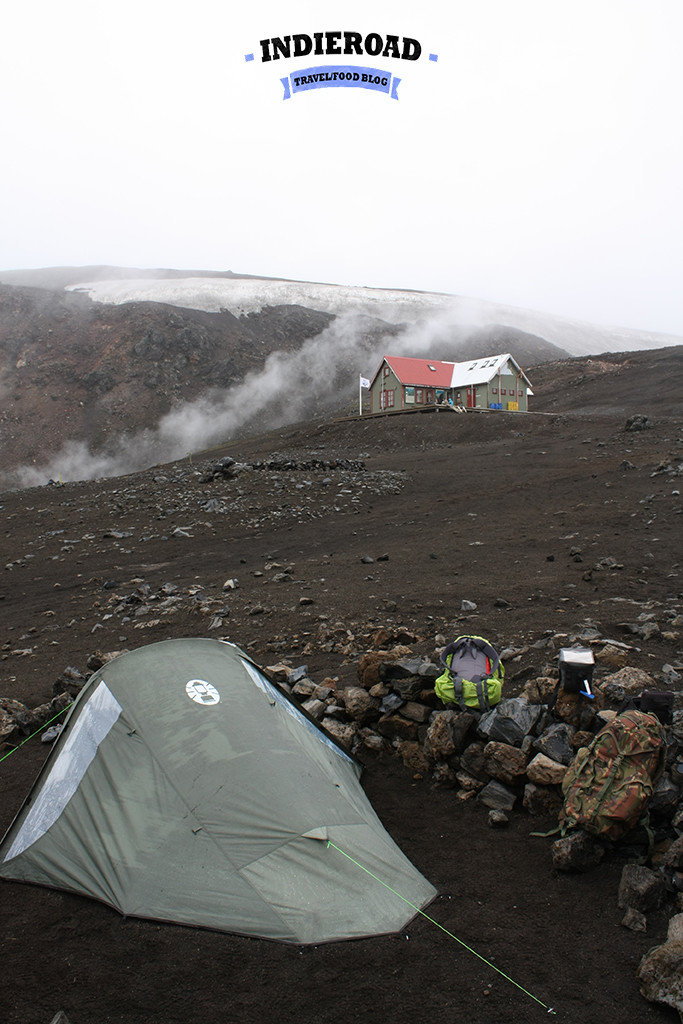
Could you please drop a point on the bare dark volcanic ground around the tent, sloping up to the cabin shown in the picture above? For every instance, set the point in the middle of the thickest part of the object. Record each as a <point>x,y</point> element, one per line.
<point>334,539</point>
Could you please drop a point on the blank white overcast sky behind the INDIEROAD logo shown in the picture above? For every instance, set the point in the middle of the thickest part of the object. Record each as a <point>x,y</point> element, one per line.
<point>539,162</point>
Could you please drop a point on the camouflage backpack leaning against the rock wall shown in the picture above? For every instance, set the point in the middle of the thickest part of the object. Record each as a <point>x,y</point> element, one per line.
<point>609,784</point>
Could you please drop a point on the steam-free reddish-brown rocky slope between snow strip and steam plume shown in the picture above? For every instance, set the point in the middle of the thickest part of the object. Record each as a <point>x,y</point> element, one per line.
<point>73,370</point>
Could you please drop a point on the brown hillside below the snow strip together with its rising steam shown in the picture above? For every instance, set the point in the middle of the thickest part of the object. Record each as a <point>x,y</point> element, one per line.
<point>93,389</point>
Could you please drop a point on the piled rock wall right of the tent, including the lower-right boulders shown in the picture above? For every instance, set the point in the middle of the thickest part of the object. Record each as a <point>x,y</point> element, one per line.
<point>518,755</point>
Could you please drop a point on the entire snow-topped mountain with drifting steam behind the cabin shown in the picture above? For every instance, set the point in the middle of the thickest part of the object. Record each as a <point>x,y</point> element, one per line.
<point>105,370</point>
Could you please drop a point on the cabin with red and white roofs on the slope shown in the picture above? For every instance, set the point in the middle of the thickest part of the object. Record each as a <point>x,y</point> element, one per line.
<point>493,382</point>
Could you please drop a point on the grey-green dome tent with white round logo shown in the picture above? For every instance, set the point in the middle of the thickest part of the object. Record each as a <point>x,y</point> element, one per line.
<point>186,787</point>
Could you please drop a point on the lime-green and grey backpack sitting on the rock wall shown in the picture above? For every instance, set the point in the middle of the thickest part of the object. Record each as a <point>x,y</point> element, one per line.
<point>474,676</point>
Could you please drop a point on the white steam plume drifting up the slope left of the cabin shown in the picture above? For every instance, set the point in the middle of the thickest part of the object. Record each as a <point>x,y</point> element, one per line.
<point>316,379</point>
